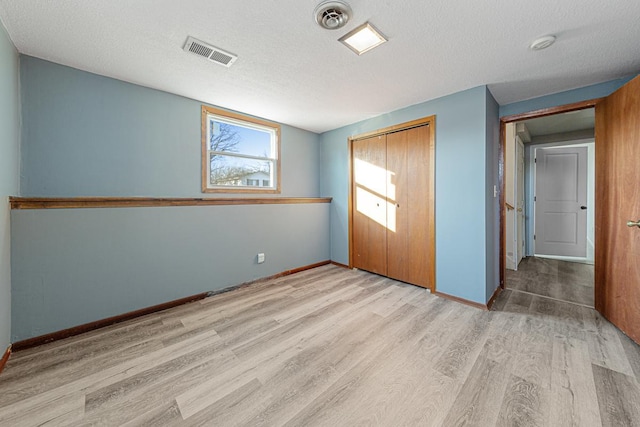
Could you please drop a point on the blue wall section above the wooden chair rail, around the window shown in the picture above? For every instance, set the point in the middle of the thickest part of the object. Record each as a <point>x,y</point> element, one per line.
<point>88,135</point>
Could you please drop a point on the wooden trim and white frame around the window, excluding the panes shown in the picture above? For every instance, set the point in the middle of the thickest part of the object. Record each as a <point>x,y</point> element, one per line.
<point>236,117</point>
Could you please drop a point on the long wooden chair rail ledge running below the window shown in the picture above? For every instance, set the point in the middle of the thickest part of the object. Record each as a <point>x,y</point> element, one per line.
<point>134,202</point>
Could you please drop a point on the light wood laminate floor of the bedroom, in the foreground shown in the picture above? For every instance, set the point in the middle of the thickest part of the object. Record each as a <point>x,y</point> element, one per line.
<point>334,347</point>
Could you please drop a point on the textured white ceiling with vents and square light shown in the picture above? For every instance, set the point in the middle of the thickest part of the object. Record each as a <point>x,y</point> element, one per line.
<point>292,71</point>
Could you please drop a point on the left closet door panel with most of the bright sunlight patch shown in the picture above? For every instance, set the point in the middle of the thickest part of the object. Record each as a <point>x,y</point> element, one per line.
<point>369,204</point>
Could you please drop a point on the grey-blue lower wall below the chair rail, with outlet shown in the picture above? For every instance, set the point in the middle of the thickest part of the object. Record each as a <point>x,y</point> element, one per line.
<point>79,265</point>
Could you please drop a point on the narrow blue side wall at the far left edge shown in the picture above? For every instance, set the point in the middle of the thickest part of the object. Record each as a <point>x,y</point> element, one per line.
<point>9,171</point>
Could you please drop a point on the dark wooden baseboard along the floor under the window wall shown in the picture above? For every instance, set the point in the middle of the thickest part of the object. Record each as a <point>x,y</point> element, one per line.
<point>80,329</point>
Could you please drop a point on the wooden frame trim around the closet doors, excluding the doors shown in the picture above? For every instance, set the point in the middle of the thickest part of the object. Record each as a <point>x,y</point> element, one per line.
<point>430,121</point>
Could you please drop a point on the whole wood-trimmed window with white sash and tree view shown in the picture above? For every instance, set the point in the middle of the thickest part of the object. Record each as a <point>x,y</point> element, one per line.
<point>239,152</point>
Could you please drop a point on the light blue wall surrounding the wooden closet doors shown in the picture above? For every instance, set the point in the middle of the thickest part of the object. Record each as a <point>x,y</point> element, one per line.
<point>462,190</point>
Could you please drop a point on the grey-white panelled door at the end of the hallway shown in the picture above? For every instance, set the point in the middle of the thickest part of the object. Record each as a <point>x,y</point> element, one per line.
<point>560,202</point>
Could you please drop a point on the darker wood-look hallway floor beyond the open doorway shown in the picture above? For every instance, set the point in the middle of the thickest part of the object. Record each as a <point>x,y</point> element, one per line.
<point>561,280</point>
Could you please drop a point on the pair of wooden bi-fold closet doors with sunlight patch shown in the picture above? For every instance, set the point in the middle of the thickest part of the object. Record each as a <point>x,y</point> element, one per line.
<point>392,204</point>
